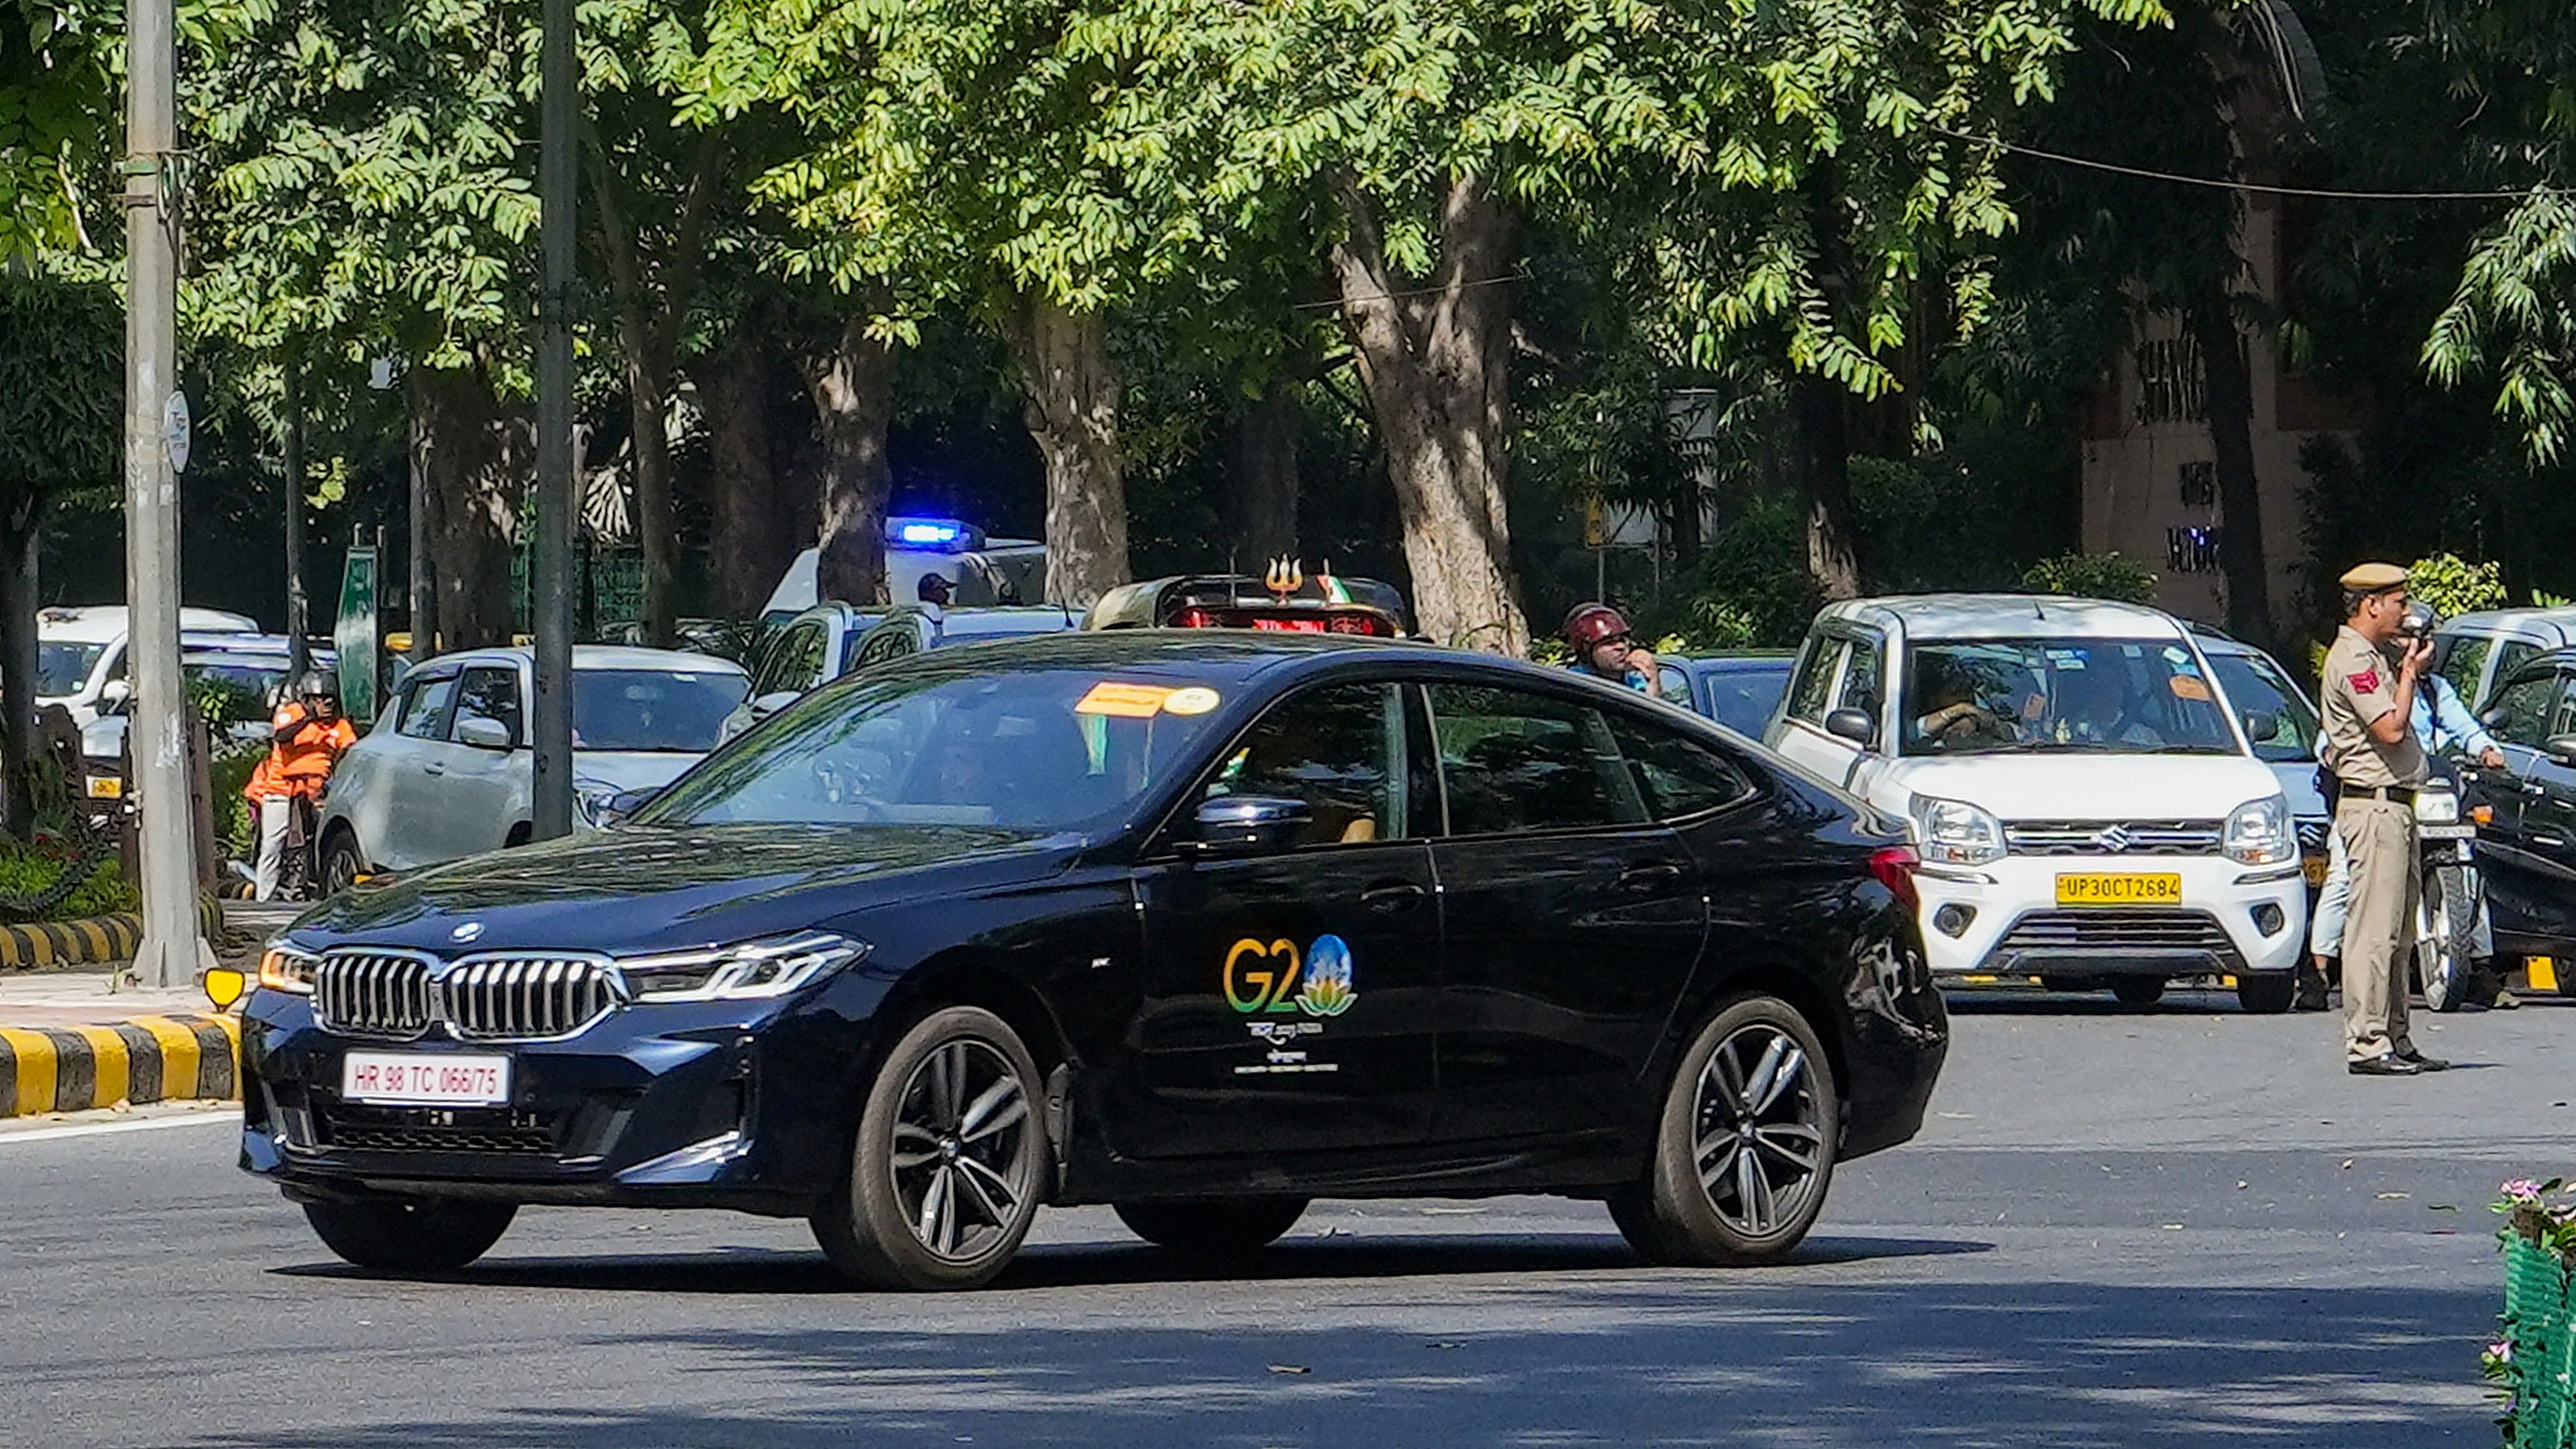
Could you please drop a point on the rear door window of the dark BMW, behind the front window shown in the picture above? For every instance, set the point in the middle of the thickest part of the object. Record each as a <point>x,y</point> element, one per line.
<point>1529,763</point>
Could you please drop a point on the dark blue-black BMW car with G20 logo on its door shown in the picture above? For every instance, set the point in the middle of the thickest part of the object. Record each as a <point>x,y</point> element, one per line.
<point>1199,925</point>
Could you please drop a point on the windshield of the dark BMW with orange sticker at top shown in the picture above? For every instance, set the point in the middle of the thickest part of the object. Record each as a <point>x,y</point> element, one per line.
<point>1042,750</point>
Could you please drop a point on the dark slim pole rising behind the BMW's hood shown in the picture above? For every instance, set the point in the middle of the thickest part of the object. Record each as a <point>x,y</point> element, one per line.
<point>550,562</point>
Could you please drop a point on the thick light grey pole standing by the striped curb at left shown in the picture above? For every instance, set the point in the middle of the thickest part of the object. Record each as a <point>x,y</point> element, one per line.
<point>171,951</point>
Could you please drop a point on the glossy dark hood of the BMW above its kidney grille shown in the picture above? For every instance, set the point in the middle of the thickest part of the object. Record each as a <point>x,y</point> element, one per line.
<point>674,889</point>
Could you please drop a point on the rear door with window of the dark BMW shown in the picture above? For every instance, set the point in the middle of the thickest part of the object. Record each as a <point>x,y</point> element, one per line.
<point>1573,915</point>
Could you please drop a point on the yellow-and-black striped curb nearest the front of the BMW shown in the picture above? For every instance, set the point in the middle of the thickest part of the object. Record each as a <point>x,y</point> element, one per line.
<point>148,1059</point>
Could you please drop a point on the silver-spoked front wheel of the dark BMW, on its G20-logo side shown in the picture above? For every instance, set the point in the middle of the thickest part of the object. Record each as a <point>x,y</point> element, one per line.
<point>949,1159</point>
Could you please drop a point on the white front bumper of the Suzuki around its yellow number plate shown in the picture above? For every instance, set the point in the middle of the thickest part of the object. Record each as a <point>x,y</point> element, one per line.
<point>2005,920</point>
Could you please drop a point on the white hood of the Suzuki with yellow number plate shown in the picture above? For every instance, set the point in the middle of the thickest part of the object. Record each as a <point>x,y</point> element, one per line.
<point>2085,786</point>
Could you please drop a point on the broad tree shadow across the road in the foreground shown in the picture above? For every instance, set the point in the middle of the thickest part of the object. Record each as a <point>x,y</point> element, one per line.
<point>1637,1360</point>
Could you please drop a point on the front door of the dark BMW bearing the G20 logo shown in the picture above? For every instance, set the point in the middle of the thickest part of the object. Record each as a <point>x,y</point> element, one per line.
<point>1289,997</point>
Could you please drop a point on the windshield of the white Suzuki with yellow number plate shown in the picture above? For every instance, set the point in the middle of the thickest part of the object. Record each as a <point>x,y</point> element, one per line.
<point>2062,696</point>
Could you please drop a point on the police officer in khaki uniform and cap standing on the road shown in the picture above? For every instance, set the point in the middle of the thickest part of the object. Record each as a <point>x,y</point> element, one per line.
<point>2374,753</point>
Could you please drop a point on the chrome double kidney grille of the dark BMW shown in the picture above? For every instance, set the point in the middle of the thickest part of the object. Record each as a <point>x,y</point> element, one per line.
<point>478,1000</point>
